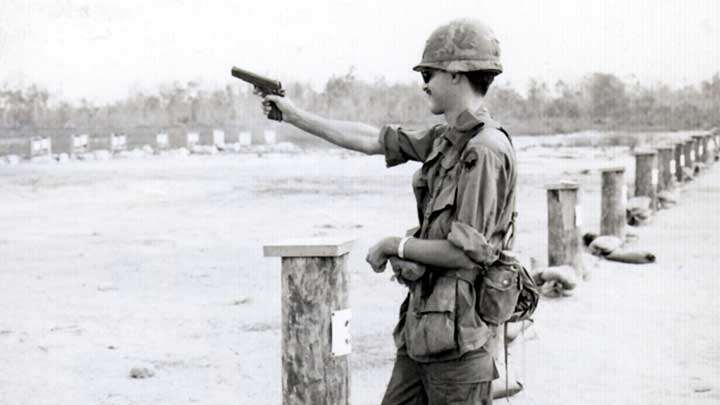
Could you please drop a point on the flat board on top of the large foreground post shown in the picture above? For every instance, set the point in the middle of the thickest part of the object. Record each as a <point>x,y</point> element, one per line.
<point>308,247</point>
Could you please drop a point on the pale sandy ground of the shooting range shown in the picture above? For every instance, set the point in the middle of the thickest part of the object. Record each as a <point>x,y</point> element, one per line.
<point>157,263</point>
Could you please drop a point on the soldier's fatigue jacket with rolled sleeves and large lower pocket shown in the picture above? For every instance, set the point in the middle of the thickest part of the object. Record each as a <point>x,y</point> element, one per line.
<point>465,193</point>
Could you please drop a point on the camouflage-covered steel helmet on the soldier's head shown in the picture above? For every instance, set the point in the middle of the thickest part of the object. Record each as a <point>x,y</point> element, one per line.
<point>462,45</point>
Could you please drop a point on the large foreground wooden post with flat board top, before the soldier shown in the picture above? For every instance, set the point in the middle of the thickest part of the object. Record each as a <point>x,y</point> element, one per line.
<point>315,321</point>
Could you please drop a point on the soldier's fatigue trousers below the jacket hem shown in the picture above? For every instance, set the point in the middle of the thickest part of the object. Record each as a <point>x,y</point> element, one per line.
<point>458,382</point>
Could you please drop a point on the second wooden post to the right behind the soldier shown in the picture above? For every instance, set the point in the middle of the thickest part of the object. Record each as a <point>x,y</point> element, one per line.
<point>614,198</point>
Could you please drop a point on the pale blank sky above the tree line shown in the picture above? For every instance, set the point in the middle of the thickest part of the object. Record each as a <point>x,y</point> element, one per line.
<point>102,50</point>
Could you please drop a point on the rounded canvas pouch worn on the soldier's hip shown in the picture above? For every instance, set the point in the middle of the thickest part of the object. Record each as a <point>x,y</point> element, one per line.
<point>498,288</point>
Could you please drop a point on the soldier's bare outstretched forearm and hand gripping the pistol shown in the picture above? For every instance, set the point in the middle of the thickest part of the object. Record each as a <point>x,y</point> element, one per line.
<point>355,136</point>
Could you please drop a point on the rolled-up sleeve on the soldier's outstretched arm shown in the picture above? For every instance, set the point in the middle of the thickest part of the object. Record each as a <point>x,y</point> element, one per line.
<point>401,145</point>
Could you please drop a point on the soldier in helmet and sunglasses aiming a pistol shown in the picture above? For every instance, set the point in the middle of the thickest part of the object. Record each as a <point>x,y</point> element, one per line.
<point>465,194</point>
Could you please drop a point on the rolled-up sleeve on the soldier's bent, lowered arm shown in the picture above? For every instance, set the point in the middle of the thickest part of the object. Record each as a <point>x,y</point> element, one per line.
<point>481,191</point>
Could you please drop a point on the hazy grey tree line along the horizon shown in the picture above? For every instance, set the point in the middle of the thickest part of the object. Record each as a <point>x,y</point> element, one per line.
<point>599,100</point>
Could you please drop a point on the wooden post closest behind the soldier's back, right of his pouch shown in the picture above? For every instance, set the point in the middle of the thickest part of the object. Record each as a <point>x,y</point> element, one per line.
<point>564,221</point>
